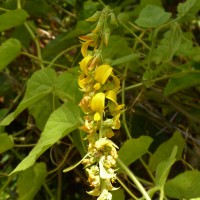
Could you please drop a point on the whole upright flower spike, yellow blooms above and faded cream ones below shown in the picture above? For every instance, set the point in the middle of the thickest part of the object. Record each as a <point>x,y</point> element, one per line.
<point>100,86</point>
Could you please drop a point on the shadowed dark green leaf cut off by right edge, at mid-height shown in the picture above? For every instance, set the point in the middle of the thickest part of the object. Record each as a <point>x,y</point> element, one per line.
<point>185,81</point>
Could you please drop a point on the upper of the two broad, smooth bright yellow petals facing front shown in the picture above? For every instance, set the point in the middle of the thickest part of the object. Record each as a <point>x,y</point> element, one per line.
<point>102,73</point>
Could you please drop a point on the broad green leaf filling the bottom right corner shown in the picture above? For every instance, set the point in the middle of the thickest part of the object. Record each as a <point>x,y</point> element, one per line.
<point>184,186</point>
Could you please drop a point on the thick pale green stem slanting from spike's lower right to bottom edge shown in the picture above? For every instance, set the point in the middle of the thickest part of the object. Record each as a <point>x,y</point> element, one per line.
<point>134,179</point>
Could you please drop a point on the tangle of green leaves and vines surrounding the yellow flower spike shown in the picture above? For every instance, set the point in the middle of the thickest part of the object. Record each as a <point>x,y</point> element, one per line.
<point>155,52</point>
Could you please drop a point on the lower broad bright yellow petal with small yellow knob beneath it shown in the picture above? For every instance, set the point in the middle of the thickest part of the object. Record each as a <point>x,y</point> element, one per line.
<point>98,105</point>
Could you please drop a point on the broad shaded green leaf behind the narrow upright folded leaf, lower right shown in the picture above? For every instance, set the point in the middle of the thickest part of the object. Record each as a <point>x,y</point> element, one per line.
<point>163,152</point>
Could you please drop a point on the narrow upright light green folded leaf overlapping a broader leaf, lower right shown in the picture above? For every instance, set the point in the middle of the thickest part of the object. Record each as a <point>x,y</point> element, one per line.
<point>163,168</point>
